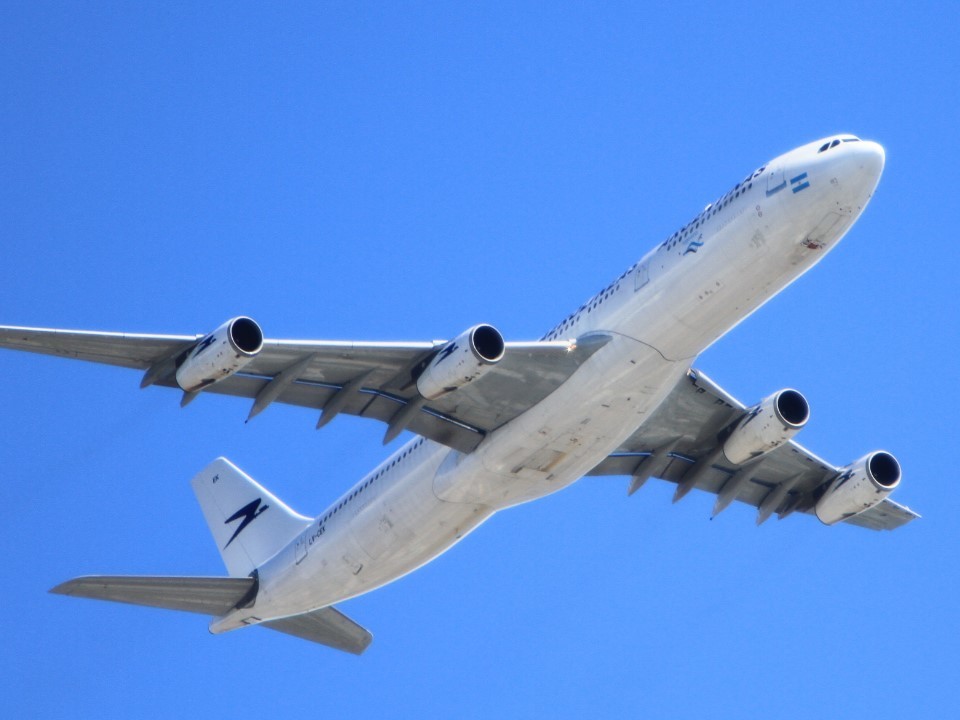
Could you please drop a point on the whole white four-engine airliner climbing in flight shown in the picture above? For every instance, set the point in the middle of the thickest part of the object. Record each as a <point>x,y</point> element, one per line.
<point>610,390</point>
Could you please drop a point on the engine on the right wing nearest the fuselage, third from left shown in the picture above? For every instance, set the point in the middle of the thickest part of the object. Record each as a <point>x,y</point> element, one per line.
<point>766,426</point>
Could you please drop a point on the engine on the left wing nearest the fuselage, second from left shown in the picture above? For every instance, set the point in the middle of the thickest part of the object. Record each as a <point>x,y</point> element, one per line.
<point>461,361</point>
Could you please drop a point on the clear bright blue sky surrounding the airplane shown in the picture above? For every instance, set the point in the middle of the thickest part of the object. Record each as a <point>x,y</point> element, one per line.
<point>380,171</point>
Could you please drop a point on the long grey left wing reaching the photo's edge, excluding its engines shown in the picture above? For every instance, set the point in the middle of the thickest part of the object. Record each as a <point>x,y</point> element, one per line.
<point>367,379</point>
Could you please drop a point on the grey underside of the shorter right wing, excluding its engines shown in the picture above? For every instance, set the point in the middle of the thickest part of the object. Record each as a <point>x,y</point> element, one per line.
<point>680,444</point>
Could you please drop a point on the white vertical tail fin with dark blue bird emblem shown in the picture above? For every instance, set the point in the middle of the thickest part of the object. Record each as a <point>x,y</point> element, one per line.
<point>249,524</point>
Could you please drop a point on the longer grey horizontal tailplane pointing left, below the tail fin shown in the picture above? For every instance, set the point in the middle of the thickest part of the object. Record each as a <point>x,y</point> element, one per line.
<point>205,595</point>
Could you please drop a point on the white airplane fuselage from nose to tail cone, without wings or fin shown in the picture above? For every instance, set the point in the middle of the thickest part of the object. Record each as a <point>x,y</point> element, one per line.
<point>661,313</point>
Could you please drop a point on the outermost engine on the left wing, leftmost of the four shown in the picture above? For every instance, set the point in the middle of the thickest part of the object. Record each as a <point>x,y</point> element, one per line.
<point>220,354</point>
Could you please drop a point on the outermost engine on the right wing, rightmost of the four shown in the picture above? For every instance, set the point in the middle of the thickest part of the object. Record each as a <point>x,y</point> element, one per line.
<point>859,487</point>
